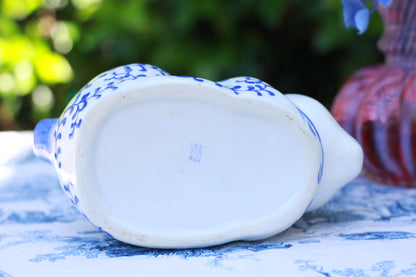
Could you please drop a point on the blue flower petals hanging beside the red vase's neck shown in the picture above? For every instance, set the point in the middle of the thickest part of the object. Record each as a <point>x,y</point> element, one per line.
<point>357,14</point>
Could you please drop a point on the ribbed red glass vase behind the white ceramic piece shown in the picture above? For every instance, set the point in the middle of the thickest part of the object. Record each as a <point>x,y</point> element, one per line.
<point>377,104</point>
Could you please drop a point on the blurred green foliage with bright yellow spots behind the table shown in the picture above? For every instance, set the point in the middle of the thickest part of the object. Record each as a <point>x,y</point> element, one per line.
<point>50,48</point>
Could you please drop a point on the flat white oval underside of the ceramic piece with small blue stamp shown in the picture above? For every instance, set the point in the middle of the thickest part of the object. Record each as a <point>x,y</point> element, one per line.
<point>168,167</point>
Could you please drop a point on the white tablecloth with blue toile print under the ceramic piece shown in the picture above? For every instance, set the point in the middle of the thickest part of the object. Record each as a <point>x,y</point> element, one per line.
<point>366,230</point>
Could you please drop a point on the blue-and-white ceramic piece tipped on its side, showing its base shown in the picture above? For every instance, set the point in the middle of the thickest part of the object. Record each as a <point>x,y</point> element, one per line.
<point>173,162</point>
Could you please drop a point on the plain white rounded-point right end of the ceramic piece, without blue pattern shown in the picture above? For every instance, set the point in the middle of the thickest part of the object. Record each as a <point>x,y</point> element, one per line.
<point>343,155</point>
